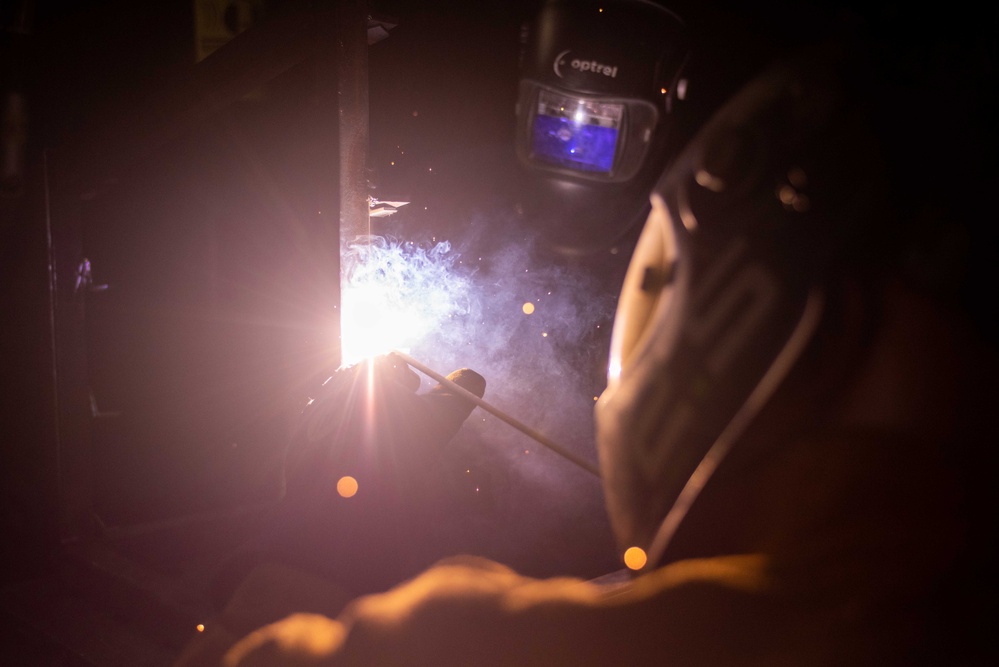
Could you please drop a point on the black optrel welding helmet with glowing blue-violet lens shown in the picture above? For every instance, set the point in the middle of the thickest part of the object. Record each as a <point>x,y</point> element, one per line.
<point>598,82</point>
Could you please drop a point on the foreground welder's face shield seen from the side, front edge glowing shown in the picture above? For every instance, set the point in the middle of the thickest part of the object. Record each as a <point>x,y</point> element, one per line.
<point>727,285</point>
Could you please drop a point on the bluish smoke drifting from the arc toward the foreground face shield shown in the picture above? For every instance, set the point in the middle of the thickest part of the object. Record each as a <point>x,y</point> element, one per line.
<point>461,303</point>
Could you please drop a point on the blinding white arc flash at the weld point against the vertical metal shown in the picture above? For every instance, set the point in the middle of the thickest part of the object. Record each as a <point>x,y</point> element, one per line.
<point>394,294</point>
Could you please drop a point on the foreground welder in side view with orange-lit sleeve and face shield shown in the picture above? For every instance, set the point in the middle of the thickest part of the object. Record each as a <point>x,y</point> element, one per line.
<point>793,437</point>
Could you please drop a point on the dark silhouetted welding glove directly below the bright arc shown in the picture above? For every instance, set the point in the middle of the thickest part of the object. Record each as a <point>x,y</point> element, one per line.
<point>366,423</point>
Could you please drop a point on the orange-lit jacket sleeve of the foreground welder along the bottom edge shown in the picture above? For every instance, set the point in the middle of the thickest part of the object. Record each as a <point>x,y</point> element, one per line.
<point>476,612</point>
